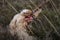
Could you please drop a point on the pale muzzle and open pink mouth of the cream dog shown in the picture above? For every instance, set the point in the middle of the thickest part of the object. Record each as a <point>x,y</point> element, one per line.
<point>27,14</point>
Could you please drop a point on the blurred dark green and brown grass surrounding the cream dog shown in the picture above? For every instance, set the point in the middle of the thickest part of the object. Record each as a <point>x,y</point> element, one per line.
<point>47,25</point>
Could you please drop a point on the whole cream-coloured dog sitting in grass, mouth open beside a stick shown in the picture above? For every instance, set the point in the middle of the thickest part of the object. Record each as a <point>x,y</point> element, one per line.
<point>19,23</point>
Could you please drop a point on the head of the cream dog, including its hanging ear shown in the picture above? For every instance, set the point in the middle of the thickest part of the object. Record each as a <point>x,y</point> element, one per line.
<point>21,20</point>
